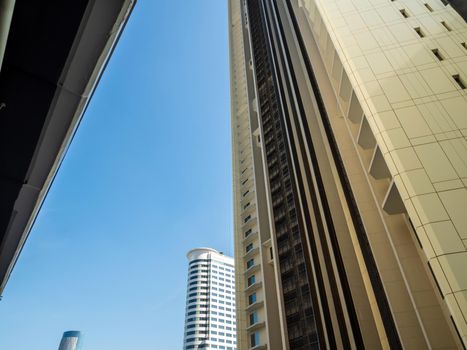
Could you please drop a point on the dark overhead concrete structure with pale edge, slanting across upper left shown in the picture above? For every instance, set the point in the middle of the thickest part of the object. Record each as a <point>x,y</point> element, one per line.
<point>53,59</point>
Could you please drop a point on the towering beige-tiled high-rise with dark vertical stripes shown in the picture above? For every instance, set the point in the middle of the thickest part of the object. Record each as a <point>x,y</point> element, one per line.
<point>349,134</point>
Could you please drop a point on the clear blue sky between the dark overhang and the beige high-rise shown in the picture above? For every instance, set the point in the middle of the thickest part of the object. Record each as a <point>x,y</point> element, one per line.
<point>147,177</point>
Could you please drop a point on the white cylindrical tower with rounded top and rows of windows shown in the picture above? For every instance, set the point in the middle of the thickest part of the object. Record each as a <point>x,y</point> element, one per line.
<point>210,301</point>
